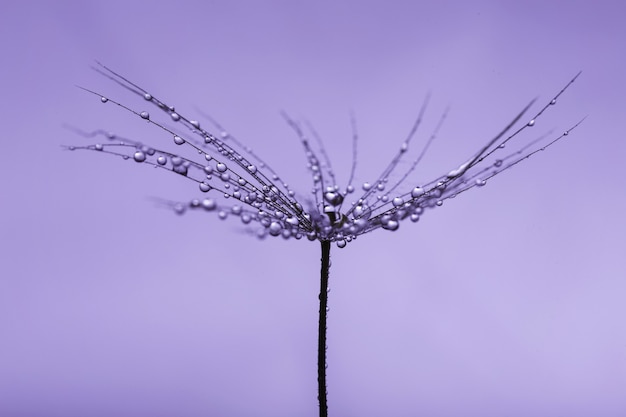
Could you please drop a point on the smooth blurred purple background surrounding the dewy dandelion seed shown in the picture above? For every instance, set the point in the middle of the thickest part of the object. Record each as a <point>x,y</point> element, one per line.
<point>508,300</point>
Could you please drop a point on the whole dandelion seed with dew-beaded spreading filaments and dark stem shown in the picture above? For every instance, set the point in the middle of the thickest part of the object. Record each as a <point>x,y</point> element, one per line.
<point>239,184</point>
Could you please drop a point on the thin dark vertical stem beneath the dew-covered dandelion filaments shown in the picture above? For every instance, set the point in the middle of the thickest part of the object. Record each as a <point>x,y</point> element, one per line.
<point>321,346</point>
